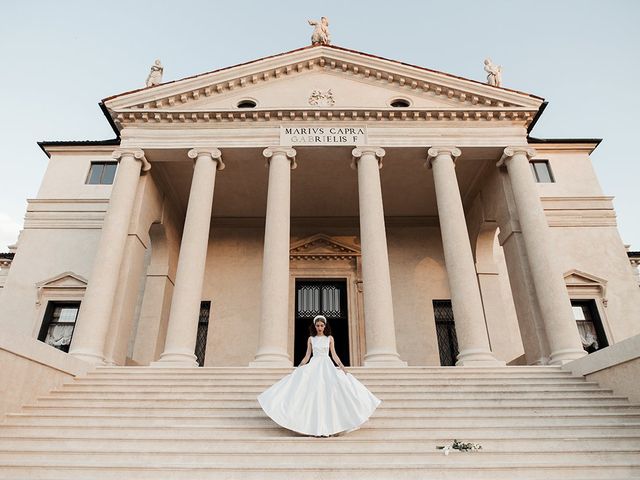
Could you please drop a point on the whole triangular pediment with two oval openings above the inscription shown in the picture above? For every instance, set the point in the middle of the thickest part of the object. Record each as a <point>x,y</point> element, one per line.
<point>315,79</point>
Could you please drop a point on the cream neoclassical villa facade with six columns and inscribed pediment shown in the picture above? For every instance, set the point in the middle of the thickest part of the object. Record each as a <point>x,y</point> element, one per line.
<point>409,206</point>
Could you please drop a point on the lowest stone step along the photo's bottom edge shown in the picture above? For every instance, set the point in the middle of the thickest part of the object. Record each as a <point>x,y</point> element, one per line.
<point>447,469</point>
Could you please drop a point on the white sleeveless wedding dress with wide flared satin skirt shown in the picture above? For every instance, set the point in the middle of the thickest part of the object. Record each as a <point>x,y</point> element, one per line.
<point>317,398</point>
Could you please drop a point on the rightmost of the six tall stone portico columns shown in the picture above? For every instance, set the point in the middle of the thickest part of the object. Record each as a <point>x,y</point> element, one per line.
<point>560,325</point>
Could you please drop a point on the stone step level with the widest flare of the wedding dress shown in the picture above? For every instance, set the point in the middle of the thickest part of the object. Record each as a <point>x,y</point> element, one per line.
<point>252,408</point>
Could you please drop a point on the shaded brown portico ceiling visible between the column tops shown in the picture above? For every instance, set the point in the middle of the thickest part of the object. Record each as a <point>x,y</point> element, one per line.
<point>323,184</point>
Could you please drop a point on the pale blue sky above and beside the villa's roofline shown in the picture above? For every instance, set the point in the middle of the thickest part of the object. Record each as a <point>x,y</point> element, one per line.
<point>59,59</point>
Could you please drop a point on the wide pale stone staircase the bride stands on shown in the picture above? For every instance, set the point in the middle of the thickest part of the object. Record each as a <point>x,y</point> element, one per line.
<point>205,423</point>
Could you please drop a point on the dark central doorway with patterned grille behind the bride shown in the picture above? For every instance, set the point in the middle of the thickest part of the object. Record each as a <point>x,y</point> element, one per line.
<point>321,297</point>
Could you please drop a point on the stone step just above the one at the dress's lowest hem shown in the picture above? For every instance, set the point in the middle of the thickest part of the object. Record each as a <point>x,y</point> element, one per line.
<point>389,421</point>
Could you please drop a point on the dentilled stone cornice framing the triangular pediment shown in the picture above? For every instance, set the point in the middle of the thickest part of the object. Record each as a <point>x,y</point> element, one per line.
<point>180,101</point>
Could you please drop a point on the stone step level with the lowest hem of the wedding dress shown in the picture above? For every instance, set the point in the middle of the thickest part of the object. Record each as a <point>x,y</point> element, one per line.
<point>380,433</point>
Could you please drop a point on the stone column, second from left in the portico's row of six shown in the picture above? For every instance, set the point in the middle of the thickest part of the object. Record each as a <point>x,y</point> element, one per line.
<point>182,330</point>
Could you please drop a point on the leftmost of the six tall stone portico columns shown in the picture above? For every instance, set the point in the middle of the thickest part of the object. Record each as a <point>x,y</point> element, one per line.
<point>95,310</point>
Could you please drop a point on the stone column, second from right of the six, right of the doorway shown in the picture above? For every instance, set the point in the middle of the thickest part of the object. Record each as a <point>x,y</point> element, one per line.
<point>471,330</point>
